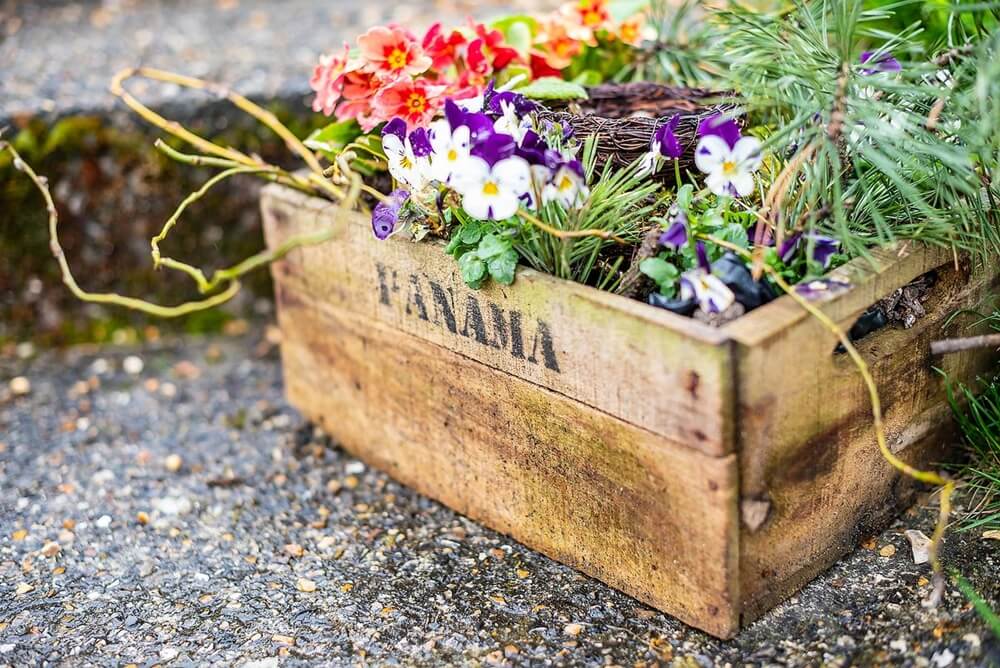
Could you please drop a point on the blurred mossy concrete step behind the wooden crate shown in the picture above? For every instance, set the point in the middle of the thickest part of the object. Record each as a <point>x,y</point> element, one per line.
<point>112,189</point>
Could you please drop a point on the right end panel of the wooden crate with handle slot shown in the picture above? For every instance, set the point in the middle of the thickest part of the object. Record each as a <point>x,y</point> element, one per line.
<point>807,449</point>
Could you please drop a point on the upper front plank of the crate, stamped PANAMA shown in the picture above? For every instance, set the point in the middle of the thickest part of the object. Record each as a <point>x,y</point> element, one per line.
<point>659,371</point>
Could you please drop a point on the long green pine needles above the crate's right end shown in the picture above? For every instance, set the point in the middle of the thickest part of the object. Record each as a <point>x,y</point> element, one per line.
<point>872,156</point>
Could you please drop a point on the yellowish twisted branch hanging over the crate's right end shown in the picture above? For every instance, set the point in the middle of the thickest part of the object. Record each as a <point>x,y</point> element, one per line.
<point>928,477</point>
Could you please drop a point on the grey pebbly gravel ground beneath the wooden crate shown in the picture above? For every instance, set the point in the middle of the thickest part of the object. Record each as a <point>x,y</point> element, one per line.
<point>163,504</point>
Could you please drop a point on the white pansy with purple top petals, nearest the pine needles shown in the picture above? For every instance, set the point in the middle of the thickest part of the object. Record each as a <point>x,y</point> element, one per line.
<point>728,159</point>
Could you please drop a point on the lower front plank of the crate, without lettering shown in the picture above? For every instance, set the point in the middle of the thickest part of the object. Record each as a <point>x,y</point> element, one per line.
<point>655,519</point>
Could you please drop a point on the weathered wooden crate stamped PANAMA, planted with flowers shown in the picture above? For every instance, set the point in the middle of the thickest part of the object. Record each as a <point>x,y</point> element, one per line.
<point>706,472</point>
